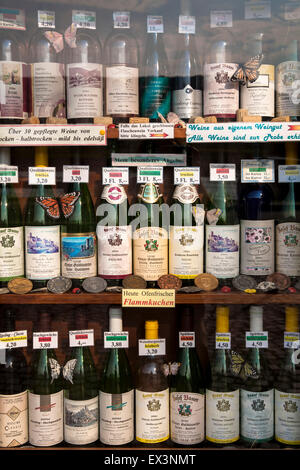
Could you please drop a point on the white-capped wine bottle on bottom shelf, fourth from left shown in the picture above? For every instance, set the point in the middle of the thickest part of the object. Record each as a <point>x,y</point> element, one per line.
<point>116,391</point>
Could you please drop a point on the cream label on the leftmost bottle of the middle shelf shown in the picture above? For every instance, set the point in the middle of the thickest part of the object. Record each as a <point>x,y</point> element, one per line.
<point>11,253</point>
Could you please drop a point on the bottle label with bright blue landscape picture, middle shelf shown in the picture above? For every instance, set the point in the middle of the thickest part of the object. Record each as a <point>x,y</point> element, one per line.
<point>79,255</point>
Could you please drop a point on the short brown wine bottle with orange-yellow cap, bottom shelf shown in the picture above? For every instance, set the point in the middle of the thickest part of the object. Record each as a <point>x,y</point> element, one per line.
<point>152,395</point>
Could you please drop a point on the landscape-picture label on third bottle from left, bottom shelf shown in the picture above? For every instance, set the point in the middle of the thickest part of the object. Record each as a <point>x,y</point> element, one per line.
<point>81,421</point>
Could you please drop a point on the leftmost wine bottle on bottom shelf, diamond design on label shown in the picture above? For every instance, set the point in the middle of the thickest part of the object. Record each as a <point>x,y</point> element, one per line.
<point>13,390</point>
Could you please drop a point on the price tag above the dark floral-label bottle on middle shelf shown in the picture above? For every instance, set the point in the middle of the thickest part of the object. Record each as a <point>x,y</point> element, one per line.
<point>257,171</point>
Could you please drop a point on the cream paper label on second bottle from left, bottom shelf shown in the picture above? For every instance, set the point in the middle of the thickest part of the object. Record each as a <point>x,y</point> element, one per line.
<point>46,419</point>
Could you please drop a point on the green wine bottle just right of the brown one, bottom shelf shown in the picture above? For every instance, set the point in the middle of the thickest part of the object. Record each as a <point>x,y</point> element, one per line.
<point>187,391</point>
